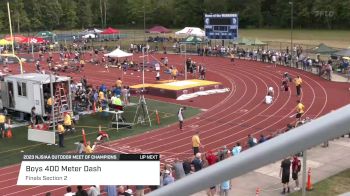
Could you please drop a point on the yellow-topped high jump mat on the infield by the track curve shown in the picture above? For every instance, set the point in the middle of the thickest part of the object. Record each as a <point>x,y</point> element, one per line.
<point>173,89</point>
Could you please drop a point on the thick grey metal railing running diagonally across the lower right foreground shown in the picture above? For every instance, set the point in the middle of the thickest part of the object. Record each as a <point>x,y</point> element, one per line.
<point>330,126</point>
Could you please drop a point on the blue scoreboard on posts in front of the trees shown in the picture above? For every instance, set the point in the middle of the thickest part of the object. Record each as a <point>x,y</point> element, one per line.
<point>221,26</point>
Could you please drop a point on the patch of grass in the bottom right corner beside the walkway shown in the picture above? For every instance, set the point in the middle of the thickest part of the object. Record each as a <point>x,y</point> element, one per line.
<point>334,185</point>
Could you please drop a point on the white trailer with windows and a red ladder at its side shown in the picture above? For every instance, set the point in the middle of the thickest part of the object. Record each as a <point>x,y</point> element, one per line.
<point>22,92</point>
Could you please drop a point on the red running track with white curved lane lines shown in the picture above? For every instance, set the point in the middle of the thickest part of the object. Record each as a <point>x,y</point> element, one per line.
<point>227,119</point>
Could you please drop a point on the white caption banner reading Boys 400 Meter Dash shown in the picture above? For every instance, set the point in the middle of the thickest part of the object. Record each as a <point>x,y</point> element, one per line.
<point>76,169</point>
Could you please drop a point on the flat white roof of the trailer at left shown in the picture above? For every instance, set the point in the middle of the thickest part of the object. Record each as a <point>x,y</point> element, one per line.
<point>36,77</point>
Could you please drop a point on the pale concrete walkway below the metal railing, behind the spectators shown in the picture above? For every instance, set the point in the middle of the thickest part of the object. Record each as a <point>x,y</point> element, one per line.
<point>324,162</point>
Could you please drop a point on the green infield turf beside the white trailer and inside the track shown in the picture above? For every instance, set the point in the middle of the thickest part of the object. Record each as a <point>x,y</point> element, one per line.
<point>11,149</point>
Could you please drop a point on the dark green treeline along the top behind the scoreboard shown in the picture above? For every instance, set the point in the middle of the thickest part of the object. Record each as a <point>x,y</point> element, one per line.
<point>34,15</point>
